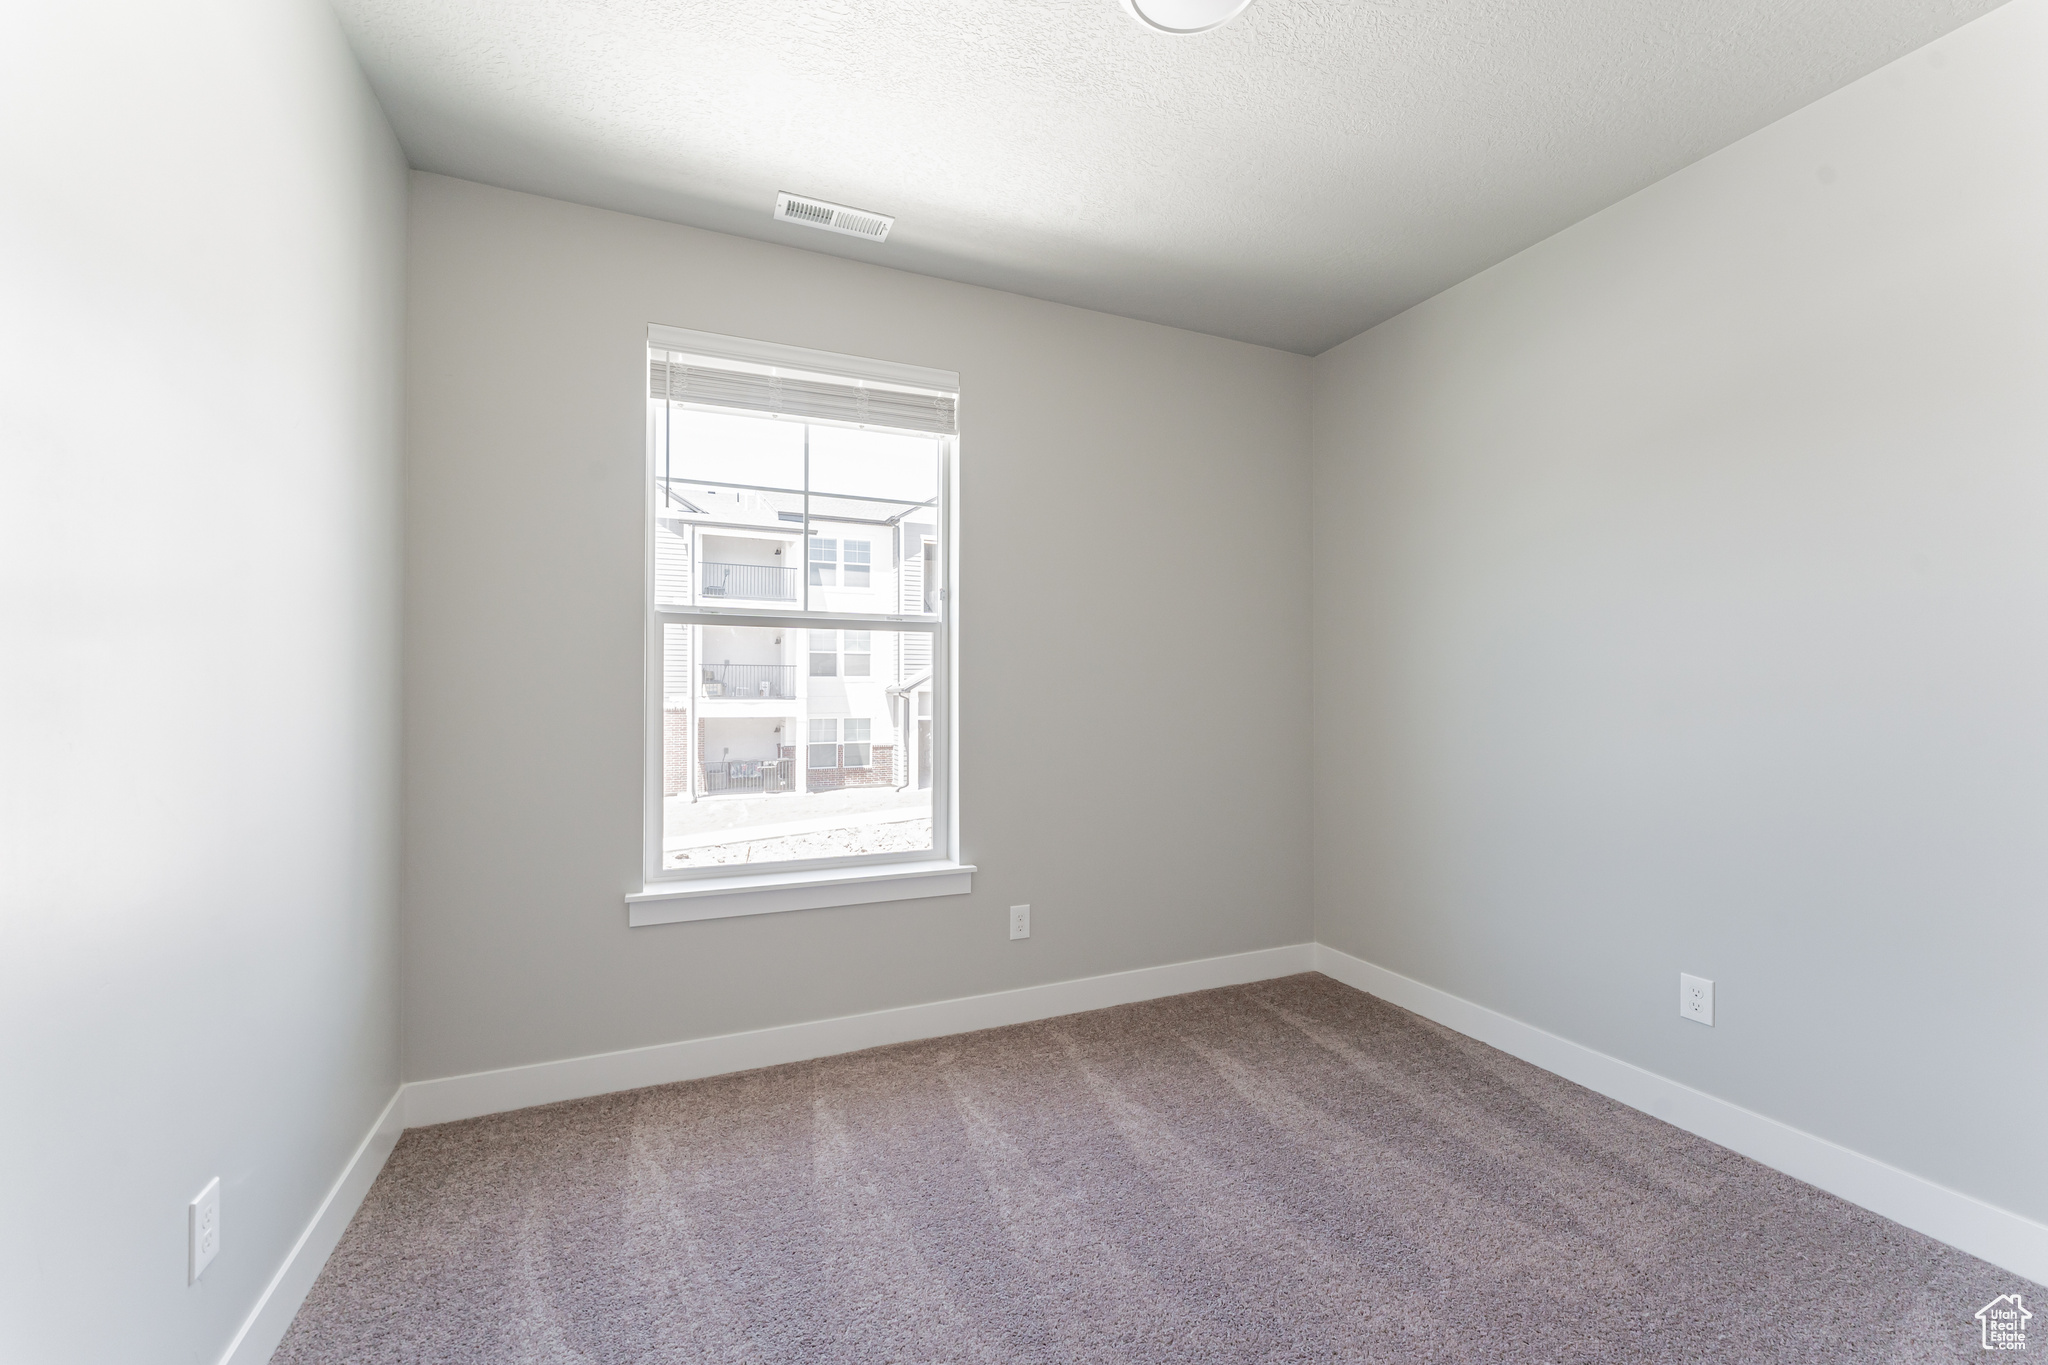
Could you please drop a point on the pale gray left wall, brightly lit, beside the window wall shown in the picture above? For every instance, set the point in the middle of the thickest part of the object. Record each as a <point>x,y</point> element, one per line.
<point>202,304</point>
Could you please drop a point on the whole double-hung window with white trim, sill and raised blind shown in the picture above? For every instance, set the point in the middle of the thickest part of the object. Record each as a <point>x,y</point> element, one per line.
<point>800,680</point>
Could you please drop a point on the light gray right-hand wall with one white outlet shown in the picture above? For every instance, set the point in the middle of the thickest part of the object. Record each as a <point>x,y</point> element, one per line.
<point>1680,607</point>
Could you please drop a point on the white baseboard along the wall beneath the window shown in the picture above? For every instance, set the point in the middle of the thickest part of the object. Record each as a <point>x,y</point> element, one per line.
<point>544,1084</point>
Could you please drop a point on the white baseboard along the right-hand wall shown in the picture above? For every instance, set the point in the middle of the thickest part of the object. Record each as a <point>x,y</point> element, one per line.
<point>1965,1223</point>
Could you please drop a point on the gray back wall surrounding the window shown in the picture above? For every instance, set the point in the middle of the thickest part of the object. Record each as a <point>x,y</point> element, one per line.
<point>1134,552</point>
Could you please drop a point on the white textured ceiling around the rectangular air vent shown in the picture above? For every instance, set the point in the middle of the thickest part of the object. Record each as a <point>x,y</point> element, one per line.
<point>1289,179</point>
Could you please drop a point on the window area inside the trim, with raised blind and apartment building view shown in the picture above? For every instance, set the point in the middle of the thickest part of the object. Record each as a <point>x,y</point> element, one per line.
<point>785,742</point>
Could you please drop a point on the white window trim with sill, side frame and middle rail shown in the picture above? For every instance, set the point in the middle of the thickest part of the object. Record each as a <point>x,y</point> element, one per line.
<point>667,897</point>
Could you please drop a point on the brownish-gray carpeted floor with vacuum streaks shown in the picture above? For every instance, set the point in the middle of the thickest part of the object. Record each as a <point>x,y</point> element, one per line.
<point>1289,1172</point>
